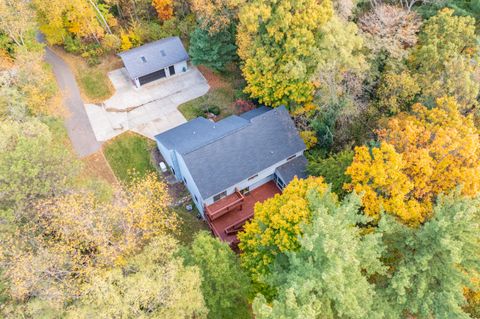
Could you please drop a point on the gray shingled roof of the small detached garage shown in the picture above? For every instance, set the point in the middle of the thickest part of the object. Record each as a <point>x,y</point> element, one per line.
<point>158,55</point>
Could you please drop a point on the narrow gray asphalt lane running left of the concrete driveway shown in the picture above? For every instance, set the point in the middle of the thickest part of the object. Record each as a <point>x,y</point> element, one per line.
<point>77,123</point>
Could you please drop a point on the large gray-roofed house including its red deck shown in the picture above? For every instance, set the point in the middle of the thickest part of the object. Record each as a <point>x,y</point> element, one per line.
<point>230,165</point>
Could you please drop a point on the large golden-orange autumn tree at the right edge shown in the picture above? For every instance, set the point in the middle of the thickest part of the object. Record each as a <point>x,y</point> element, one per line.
<point>420,156</point>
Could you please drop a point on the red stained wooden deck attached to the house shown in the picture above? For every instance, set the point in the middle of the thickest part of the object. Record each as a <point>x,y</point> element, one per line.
<point>228,215</point>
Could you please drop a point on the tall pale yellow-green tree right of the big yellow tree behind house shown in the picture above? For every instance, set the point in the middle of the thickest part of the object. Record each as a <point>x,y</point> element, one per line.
<point>338,80</point>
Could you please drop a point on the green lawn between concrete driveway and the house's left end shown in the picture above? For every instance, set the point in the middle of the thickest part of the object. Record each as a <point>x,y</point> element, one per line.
<point>127,152</point>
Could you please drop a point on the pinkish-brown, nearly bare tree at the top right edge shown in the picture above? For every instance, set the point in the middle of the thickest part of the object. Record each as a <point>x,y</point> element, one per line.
<point>390,28</point>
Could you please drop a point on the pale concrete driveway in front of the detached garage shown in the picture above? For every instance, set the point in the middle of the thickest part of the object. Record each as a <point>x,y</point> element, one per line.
<point>149,110</point>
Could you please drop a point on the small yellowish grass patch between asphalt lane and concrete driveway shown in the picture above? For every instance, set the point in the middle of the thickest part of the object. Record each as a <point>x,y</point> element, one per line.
<point>94,83</point>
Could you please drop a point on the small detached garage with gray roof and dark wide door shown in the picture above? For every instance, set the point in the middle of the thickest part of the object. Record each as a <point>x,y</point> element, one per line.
<point>155,60</point>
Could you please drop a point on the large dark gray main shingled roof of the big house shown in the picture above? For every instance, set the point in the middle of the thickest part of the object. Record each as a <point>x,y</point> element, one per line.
<point>243,152</point>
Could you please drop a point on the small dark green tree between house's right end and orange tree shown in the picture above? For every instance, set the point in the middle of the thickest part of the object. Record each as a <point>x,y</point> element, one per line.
<point>332,169</point>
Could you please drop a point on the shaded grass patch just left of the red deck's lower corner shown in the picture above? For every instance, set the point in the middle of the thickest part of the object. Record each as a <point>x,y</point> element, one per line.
<point>190,225</point>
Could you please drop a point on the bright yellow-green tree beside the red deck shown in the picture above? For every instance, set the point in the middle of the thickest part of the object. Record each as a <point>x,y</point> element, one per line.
<point>275,227</point>
